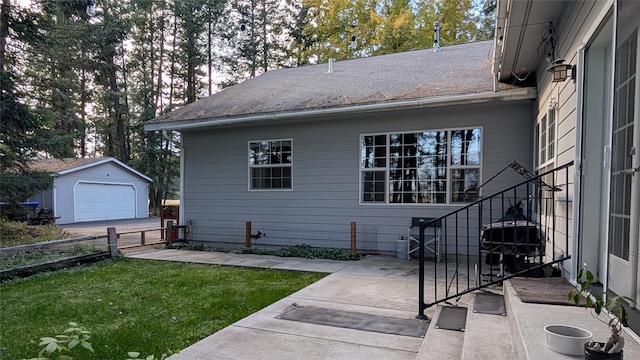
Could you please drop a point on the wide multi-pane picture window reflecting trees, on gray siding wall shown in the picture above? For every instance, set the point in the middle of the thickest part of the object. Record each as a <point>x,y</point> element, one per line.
<point>427,167</point>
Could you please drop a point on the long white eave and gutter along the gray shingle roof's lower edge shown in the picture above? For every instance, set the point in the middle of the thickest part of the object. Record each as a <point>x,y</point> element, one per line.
<point>528,93</point>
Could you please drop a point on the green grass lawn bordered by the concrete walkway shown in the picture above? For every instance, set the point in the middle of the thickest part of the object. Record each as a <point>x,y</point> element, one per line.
<point>136,305</point>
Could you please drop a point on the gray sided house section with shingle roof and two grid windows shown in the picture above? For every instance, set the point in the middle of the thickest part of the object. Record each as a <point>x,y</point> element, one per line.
<point>306,151</point>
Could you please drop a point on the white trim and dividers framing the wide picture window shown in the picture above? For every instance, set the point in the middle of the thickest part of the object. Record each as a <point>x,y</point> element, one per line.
<point>386,168</point>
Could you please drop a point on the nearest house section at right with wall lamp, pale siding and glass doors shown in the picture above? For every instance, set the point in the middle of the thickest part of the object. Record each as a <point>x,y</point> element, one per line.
<point>591,118</point>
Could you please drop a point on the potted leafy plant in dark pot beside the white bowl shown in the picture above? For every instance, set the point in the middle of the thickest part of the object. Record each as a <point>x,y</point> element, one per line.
<point>612,348</point>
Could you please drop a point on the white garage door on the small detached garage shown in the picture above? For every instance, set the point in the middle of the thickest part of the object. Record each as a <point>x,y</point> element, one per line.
<point>94,202</point>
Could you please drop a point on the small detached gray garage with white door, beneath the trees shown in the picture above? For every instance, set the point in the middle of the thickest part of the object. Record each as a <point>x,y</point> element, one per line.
<point>93,190</point>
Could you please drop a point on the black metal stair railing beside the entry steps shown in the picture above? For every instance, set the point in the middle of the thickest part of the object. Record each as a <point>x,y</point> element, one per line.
<point>511,233</point>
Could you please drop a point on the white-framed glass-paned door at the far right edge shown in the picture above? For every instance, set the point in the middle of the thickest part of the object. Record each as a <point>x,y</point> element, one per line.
<point>624,198</point>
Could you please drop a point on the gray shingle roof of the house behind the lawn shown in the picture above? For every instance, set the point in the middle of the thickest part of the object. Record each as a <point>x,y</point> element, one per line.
<point>456,70</point>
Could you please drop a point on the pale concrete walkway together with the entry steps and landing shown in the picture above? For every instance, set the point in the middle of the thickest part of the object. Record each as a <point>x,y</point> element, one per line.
<point>376,286</point>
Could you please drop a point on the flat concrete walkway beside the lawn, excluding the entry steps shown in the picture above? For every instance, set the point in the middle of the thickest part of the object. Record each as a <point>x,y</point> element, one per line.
<point>385,286</point>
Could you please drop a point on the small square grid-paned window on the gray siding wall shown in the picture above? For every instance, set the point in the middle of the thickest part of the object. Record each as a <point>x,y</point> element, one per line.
<point>270,164</point>
